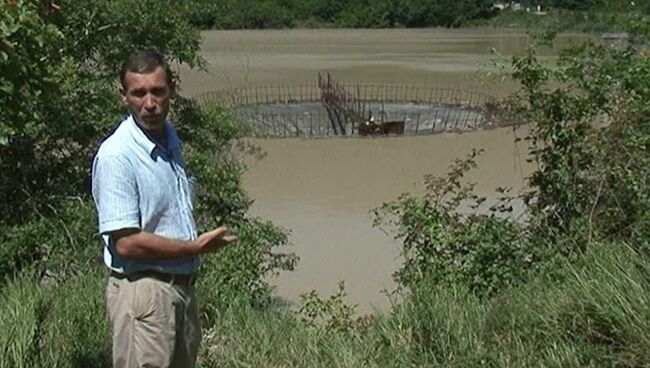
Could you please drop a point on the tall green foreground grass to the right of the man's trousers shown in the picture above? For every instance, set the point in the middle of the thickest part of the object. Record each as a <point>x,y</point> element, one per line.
<point>596,316</point>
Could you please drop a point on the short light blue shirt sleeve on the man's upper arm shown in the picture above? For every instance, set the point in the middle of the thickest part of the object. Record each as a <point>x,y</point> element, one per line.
<point>115,192</point>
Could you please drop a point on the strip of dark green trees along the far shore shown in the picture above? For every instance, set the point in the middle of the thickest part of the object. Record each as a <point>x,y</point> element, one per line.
<point>559,15</point>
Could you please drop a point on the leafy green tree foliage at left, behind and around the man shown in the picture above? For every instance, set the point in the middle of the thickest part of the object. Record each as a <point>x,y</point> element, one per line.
<point>62,69</point>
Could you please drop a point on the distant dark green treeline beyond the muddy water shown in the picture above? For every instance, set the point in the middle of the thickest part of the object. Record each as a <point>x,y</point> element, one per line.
<point>256,14</point>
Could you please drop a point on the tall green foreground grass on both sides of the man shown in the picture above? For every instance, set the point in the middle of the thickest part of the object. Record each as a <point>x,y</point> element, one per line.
<point>597,315</point>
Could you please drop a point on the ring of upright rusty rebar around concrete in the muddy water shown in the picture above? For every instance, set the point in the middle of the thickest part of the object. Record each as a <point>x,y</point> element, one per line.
<point>329,108</point>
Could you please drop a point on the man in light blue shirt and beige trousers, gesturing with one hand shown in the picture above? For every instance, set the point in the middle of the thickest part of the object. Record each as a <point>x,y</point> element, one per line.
<point>144,205</point>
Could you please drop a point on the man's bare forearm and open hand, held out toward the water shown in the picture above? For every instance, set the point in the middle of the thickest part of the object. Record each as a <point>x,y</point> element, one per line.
<point>136,244</point>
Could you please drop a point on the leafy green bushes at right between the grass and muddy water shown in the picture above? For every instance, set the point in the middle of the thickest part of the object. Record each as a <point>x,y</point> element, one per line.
<point>588,135</point>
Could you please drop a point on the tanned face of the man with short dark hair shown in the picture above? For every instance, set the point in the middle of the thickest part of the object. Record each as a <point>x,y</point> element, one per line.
<point>148,97</point>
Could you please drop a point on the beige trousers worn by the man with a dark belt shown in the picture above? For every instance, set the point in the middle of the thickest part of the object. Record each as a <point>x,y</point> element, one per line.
<point>155,324</point>
